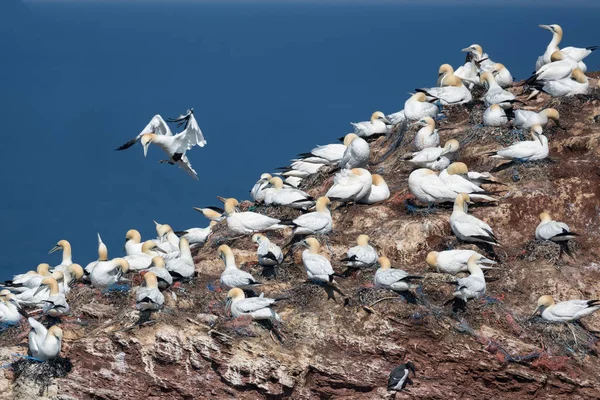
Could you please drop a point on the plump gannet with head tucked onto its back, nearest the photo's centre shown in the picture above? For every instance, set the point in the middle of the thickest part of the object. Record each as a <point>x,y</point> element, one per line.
<point>350,185</point>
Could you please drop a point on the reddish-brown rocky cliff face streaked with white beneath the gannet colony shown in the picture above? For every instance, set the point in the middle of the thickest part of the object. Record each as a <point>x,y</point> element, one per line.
<point>345,345</point>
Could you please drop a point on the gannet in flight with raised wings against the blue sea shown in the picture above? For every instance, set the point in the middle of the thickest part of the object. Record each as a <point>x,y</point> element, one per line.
<point>175,146</point>
